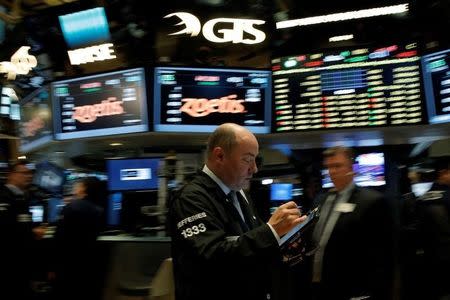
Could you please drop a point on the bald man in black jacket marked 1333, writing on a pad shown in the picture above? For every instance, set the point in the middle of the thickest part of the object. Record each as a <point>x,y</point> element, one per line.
<point>220,248</point>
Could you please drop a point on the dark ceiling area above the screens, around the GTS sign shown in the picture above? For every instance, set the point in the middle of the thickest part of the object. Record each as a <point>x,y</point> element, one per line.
<point>140,33</point>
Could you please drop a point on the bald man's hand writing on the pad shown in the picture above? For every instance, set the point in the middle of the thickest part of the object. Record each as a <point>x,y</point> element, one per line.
<point>285,218</point>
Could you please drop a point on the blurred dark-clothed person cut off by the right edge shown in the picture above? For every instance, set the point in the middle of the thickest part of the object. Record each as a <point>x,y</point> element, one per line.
<point>434,227</point>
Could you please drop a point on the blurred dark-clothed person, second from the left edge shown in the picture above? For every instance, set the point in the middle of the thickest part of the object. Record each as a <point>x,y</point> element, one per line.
<point>77,264</point>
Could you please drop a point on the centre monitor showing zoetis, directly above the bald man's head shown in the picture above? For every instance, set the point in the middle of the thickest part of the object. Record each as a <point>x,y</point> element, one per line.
<point>200,99</point>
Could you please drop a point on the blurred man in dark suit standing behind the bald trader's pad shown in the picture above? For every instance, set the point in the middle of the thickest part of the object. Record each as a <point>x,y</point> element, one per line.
<point>352,235</point>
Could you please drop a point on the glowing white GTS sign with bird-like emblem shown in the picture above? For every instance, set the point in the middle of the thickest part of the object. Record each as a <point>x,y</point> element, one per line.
<point>235,34</point>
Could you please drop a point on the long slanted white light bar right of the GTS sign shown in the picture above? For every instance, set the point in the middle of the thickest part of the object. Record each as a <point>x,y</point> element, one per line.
<point>351,15</point>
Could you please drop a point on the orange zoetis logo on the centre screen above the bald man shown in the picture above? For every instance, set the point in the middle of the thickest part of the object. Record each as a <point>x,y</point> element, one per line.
<point>200,107</point>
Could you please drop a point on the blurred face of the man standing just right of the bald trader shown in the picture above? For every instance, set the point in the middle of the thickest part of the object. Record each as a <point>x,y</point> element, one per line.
<point>340,168</point>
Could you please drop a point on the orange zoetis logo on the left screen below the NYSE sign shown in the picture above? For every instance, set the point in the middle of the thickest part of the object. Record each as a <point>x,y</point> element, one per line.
<point>89,113</point>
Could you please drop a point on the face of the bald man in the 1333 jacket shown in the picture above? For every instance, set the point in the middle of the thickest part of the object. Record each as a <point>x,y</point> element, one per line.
<point>239,165</point>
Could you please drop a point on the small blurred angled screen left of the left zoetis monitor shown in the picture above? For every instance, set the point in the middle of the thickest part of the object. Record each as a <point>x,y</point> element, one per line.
<point>35,126</point>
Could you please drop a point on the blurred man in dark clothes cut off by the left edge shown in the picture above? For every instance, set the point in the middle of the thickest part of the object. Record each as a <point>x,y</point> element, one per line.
<point>15,233</point>
